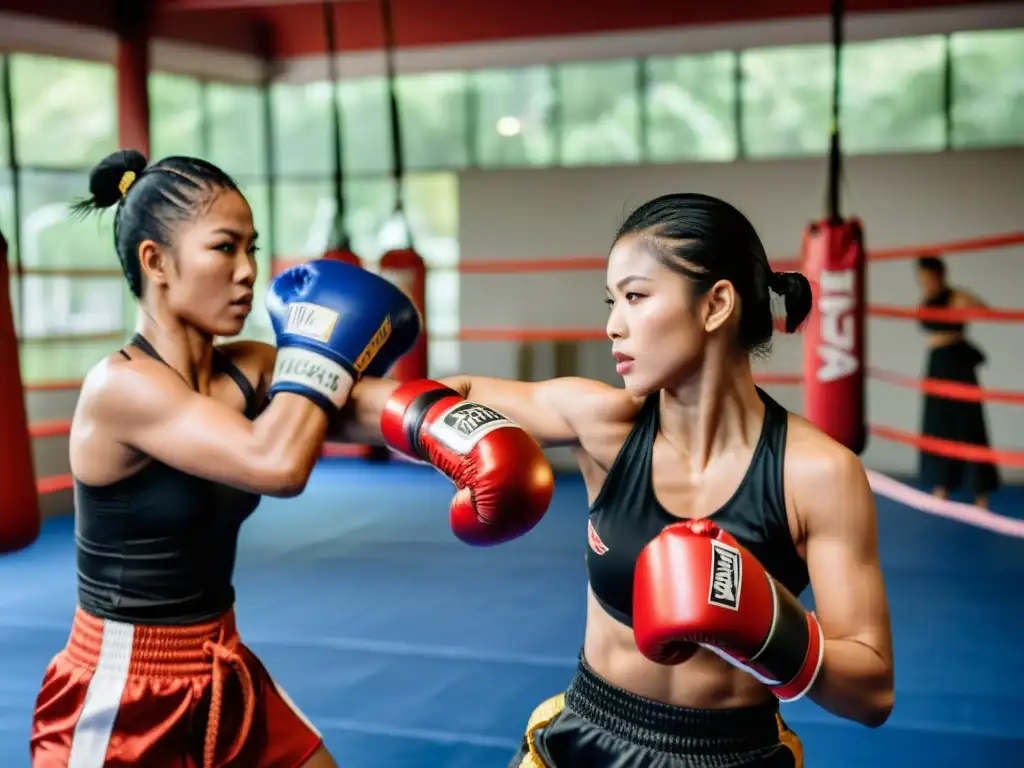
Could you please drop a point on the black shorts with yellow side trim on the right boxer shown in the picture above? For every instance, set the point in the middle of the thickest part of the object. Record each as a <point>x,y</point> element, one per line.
<point>596,726</point>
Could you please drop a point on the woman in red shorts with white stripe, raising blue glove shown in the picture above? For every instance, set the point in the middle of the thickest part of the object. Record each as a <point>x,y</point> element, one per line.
<point>172,449</point>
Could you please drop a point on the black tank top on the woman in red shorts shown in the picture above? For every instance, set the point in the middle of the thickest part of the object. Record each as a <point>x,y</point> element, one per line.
<point>159,546</point>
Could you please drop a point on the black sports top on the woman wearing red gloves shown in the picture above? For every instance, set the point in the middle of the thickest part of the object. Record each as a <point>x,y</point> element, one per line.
<point>627,516</point>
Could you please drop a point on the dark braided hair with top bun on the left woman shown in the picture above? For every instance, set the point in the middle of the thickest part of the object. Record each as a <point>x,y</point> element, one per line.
<point>151,201</point>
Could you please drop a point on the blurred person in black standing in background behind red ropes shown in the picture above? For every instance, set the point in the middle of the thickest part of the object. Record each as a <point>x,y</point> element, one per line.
<point>952,358</point>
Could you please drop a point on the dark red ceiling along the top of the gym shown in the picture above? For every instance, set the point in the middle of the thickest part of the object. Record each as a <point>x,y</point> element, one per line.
<point>286,29</point>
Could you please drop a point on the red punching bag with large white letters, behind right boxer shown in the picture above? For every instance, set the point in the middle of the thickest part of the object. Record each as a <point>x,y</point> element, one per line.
<point>834,262</point>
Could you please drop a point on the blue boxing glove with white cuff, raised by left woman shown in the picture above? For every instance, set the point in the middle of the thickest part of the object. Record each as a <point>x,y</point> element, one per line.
<point>335,322</point>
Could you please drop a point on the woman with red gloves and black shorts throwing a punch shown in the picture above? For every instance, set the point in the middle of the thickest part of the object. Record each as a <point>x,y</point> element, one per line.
<point>711,508</point>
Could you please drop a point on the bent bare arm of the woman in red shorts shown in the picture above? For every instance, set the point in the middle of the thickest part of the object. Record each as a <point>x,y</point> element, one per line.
<point>148,409</point>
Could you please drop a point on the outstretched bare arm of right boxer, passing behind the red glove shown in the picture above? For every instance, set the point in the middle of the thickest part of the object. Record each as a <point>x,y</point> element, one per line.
<point>553,412</point>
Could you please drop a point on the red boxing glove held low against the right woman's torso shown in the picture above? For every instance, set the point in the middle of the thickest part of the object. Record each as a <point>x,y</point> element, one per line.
<point>696,584</point>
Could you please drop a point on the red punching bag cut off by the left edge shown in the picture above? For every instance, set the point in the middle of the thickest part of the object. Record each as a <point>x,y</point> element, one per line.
<point>20,520</point>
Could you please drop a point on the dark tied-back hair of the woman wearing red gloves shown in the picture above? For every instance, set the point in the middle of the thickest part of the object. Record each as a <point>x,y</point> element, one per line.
<point>708,240</point>
